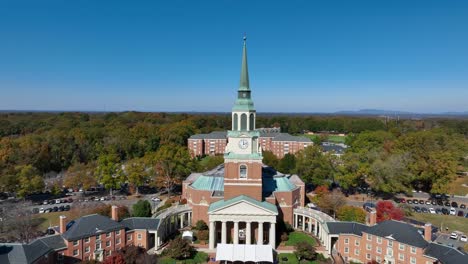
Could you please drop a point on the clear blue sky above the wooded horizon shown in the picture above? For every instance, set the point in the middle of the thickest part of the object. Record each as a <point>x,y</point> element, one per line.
<point>307,56</point>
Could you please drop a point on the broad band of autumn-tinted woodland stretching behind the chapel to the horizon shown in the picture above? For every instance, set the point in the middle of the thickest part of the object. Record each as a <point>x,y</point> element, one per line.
<point>136,148</point>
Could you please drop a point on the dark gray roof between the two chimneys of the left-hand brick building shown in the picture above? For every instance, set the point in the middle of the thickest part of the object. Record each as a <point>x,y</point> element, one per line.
<point>91,225</point>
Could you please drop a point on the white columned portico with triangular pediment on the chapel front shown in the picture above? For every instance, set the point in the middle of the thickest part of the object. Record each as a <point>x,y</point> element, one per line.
<point>242,220</point>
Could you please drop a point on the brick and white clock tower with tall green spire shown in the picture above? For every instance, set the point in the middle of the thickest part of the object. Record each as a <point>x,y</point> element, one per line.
<point>243,156</point>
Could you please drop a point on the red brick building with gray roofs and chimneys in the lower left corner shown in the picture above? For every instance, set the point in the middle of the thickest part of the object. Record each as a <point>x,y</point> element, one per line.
<point>91,237</point>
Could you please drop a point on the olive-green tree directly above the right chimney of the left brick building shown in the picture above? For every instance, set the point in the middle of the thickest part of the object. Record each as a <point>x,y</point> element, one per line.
<point>109,171</point>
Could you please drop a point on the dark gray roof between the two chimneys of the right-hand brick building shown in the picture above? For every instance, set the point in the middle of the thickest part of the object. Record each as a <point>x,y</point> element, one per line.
<point>400,231</point>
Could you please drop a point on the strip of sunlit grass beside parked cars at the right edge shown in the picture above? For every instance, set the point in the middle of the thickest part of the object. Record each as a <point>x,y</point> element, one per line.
<point>442,221</point>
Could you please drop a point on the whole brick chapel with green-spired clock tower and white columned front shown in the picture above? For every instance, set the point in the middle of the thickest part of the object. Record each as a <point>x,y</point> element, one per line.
<point>243,200</point>
